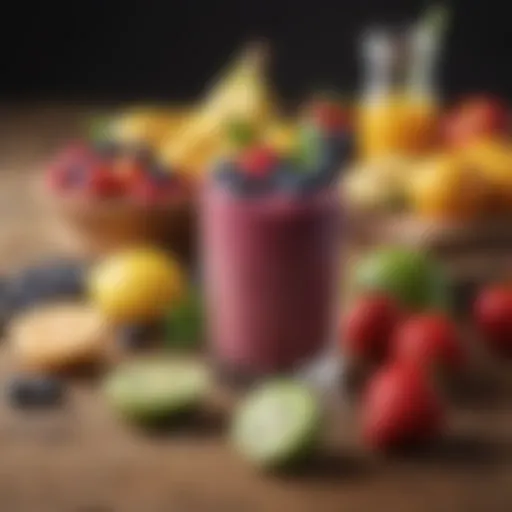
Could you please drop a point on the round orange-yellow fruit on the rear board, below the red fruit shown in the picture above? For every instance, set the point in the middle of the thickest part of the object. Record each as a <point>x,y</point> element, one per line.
<point>444,187</point>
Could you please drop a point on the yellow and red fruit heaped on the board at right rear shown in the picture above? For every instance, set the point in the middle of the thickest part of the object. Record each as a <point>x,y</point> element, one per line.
<point>465,175</point>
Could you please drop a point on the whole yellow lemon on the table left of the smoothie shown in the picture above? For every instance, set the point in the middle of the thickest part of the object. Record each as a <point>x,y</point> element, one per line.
<point>136,285</point>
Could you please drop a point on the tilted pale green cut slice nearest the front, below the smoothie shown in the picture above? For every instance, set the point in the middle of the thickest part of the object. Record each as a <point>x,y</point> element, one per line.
<point>278,424</point>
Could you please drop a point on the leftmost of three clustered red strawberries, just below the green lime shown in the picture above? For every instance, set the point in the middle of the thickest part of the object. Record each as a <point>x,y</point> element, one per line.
<point>368,327</point>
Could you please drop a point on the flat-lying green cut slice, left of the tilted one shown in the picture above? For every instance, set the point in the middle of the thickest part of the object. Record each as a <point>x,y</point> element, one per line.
<point>154,390</point>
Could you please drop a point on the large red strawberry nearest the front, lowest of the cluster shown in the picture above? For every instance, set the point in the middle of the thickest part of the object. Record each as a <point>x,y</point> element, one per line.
<point>399,408</point>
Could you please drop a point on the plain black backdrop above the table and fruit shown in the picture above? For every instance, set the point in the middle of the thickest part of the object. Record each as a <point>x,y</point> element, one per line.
<point>109,50</point>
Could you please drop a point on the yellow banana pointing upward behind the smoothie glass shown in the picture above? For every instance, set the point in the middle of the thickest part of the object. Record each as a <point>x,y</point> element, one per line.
<point>241,94</point>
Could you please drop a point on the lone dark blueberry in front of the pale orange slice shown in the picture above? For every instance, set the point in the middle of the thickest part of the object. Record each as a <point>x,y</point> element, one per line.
<point>35,391</point>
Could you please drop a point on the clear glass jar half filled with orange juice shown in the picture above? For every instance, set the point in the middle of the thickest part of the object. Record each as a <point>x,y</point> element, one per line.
<point>398,110</point>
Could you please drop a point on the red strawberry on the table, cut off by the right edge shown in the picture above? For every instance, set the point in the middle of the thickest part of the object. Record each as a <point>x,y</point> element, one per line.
<point>492,313</point>
